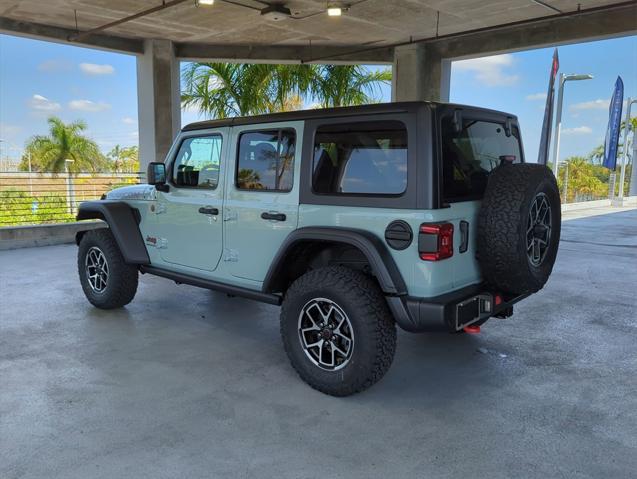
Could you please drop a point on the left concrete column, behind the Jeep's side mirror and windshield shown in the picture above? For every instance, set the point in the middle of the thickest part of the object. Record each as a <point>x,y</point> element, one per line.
<point>158,100</point>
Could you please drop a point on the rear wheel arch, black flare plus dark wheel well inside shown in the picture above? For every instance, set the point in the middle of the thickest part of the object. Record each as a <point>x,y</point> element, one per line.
<point>295,254</point>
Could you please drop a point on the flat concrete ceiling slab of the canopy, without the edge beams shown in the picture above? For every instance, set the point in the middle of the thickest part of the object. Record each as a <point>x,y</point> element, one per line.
<point>367,22</point>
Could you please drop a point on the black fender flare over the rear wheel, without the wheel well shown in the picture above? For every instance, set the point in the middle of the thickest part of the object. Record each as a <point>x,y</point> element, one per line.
<point>382,263</point>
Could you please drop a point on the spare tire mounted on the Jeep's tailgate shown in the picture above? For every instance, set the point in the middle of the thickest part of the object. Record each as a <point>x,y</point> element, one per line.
<point>519,228</point>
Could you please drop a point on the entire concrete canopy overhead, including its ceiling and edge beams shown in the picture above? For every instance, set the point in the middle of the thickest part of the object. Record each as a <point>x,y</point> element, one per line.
<point>368,31</point>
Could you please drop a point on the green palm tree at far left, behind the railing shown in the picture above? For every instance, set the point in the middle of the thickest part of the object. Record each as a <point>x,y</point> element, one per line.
<point>64,142</point>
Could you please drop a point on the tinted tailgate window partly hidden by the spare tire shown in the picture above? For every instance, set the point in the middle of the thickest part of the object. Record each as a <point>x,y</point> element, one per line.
<point>469,156</point>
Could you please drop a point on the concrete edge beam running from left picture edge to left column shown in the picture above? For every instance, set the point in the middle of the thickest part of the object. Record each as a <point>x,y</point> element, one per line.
<point>63,35</point>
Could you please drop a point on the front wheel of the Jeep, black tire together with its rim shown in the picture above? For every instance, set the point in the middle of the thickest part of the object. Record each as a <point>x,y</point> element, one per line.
<point>108,282</point>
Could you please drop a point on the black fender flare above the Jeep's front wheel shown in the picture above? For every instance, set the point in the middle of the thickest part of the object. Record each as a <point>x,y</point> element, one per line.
<point>123,221</point>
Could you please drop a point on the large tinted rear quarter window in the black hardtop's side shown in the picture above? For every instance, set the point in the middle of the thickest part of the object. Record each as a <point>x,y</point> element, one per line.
<point>361,158</point>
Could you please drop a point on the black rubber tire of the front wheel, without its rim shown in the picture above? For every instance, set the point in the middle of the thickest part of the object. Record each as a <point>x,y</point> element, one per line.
<point>122,281</point>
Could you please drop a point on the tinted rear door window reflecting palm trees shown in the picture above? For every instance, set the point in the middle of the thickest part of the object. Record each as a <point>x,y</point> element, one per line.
<point>266,160</point>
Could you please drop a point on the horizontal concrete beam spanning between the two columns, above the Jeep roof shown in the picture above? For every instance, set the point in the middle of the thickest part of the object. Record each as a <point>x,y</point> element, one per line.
<point>281,53</point>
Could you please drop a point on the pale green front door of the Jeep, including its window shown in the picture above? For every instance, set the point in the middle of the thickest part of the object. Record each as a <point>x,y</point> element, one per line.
<point>189,225</point>
